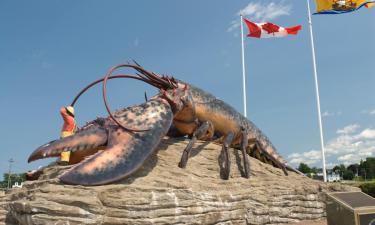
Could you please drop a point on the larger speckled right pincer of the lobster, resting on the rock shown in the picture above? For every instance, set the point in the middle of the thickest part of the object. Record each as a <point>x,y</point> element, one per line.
<point>125,151</point>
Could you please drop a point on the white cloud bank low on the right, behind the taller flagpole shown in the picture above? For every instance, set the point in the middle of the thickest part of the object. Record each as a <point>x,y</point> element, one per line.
<point>350,146</point>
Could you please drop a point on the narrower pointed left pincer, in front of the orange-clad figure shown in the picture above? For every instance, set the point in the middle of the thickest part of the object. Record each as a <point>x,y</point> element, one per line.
<point>82,142</point>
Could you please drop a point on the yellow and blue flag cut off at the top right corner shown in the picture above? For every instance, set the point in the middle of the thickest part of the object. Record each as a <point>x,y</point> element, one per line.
<point>341,6</point>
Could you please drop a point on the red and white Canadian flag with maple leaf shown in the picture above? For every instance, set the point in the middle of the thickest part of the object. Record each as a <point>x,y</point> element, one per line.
<point>267,30</point>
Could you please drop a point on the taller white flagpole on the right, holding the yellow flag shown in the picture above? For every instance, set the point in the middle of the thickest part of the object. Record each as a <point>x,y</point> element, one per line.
<point>317,94</point>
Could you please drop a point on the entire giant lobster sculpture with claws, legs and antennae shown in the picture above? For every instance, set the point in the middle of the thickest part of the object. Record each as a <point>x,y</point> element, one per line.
<point>115,147</point>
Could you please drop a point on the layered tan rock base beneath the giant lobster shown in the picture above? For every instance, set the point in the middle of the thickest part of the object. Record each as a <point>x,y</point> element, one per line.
<point>162,193</point>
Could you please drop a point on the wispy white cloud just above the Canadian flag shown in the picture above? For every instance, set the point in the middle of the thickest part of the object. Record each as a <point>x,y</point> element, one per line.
<point>261,12</point>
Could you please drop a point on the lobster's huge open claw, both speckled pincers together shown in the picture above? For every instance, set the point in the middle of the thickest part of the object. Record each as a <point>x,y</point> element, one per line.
<point>123,152</point>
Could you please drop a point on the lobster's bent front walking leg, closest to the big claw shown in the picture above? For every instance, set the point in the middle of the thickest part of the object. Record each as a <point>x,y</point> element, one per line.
<point>199,133</point>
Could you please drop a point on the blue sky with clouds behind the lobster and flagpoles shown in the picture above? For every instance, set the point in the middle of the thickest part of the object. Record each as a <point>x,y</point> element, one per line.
<point>49,50</point>
